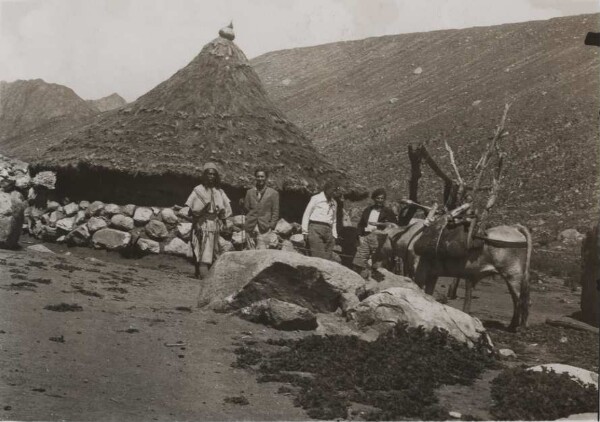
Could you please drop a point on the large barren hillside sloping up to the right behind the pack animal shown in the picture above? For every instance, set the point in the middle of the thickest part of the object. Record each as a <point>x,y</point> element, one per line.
<point>364,101</point>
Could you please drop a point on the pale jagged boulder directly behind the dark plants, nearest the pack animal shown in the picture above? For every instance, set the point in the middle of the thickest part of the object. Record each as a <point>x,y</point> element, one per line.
<point>407,304</point>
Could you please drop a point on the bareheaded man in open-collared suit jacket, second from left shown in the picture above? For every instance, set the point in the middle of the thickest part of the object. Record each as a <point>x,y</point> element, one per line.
<point>262,205</point>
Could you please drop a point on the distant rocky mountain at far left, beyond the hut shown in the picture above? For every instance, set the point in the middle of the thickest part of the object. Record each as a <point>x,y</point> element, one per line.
<point>28,104</point>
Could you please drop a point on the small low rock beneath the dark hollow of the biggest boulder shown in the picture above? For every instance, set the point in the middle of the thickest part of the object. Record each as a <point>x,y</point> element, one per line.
<point>280,315</point>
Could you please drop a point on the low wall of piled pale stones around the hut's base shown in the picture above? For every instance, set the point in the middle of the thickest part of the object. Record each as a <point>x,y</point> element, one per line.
<point>119,227</point>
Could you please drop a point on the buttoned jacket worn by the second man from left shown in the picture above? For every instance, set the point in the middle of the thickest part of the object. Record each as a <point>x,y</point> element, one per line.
<point>265,212</point>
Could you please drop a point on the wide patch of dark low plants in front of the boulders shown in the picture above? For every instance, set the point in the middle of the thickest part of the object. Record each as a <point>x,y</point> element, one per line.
<point>396,374</point>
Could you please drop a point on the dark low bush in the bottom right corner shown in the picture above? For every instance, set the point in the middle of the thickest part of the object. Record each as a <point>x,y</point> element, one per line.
<point>526,395</point>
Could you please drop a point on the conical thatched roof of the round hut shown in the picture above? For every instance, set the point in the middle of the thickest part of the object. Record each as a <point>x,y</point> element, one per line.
<point>214,109</point>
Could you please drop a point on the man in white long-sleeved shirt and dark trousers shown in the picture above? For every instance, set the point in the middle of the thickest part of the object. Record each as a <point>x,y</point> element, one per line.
<point>319,222</point>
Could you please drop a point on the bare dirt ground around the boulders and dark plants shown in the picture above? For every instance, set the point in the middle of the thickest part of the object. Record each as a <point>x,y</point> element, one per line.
<point>117,357</point>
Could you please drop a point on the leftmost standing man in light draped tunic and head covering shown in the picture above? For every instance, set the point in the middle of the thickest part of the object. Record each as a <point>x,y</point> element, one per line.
<point>209,207</point>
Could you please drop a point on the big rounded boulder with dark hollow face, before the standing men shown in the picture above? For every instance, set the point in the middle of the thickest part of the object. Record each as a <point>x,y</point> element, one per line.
<point>238,279</point>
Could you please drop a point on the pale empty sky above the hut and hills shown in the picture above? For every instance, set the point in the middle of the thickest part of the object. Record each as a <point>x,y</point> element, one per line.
<point>98,47</point>
